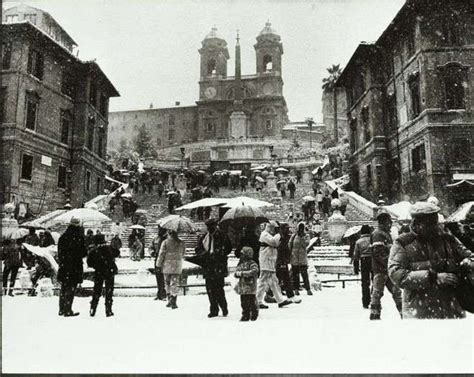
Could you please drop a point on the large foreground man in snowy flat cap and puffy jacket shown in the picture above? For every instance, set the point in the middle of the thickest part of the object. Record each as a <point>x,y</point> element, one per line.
<point>425,263</point>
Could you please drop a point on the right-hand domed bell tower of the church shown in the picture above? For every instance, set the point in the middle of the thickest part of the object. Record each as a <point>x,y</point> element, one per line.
<point>269,50</point>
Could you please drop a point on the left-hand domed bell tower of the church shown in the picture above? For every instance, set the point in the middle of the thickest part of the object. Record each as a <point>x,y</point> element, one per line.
<point>214,56</point>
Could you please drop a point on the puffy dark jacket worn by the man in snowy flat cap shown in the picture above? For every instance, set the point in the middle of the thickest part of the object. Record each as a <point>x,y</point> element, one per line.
<point>409,264</point>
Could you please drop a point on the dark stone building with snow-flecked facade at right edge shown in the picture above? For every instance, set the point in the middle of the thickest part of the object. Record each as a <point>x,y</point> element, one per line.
<point>410,105</point>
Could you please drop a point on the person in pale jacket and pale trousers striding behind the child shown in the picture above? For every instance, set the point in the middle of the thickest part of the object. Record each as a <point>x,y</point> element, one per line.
<point>269,241</point>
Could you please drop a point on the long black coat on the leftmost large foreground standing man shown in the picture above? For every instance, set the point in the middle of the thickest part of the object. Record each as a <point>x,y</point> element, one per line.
<point>71,251</point>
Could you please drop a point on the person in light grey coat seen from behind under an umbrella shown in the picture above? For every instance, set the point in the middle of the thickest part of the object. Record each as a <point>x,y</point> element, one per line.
<point>170,263</point>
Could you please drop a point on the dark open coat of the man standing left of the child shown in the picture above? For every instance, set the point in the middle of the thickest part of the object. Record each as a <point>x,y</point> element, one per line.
<point>215,265</point>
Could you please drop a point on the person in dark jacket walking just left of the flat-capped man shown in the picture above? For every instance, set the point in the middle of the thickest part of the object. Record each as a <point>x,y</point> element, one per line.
<point>381,242</point>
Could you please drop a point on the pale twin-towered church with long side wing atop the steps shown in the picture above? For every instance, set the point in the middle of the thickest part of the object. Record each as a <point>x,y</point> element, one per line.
<point>235,118</point>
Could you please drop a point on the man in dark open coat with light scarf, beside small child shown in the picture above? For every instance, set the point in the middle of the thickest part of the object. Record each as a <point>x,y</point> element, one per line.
<point>215,246</point>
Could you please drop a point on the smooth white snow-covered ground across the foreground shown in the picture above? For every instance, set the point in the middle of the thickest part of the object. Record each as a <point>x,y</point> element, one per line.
<point>327,332</point>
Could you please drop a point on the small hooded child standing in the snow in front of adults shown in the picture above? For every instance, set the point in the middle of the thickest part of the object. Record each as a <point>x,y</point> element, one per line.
<point>247,272</point>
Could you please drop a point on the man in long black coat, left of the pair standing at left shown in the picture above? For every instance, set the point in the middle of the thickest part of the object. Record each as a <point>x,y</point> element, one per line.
<point>71,251</point>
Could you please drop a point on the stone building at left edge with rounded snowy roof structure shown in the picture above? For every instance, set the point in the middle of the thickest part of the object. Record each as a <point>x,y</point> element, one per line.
<point>53,115</point>
